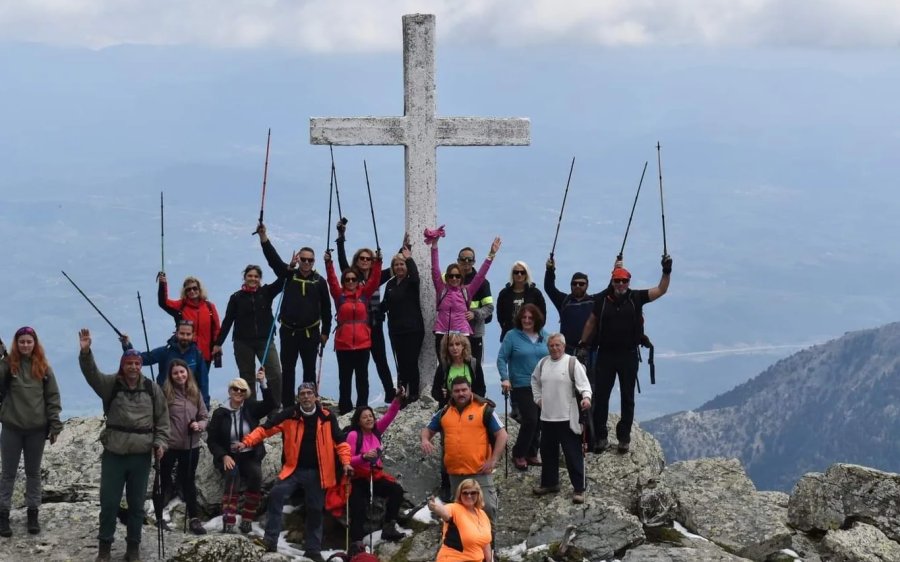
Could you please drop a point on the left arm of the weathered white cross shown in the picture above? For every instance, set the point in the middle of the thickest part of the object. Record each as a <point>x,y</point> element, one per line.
<point>351,131</point>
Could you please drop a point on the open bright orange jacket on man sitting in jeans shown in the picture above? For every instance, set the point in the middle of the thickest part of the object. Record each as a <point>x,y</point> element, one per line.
<point>329,441</point>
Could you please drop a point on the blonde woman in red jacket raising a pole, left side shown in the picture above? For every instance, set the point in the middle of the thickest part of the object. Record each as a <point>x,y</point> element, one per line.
<point>193,305</point>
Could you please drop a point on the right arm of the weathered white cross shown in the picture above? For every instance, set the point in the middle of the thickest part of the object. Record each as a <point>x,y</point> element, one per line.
<point>482,131</point>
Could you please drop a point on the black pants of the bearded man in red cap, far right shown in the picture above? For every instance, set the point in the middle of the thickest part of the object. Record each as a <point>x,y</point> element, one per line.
<point>610,364</point>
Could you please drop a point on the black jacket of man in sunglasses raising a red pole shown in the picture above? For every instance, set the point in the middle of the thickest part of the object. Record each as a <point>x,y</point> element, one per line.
<point>306,304</point>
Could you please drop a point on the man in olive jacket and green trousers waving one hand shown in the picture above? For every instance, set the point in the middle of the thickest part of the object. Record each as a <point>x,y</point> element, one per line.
<point>137,428</point>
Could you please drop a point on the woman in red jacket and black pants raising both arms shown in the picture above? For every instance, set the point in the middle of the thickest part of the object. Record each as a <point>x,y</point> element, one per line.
<point>353,337</point>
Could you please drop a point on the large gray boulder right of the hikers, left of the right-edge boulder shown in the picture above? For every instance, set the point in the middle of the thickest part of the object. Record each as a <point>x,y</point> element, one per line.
<point>718,501</point>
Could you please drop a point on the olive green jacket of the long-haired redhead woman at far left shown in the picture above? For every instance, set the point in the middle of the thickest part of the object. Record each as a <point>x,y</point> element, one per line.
<point>29,403</point>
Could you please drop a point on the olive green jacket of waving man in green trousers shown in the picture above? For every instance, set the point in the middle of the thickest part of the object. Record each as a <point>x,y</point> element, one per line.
<point>130,424</point>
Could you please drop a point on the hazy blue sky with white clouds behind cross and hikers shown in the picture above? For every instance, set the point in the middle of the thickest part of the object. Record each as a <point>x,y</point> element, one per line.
<point>777,123</point>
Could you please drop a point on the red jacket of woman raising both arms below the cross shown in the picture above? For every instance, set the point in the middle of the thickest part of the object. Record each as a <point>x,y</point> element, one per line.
<point>352,307</point>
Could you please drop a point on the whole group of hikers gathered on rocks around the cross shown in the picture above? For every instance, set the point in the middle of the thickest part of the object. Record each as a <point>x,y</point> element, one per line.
<point>559,385</point>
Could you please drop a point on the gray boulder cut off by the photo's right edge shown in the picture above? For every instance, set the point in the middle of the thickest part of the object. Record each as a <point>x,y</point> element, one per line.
<point>825,502</point>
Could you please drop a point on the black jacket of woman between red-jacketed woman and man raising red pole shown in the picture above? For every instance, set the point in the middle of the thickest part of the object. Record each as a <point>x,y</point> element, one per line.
<point>251,313</point>
